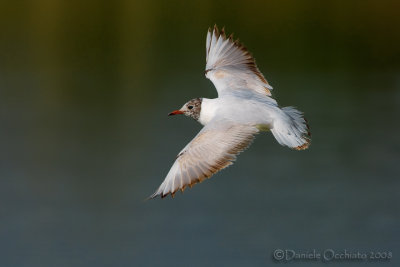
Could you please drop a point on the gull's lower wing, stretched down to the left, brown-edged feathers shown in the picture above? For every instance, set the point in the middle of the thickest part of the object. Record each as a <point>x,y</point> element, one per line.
<point>214,148</point>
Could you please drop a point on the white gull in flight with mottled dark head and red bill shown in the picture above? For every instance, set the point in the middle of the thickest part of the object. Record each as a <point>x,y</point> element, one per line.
<point>244,107</point>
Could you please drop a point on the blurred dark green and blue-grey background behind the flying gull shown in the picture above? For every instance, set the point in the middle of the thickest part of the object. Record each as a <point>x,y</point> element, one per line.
<point>85,87</point>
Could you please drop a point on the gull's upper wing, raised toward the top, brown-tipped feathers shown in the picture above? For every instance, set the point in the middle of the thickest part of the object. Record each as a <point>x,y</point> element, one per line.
<point>230,65</point>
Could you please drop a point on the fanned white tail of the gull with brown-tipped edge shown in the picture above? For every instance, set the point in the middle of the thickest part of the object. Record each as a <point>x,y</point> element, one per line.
<point>291,129</point>
